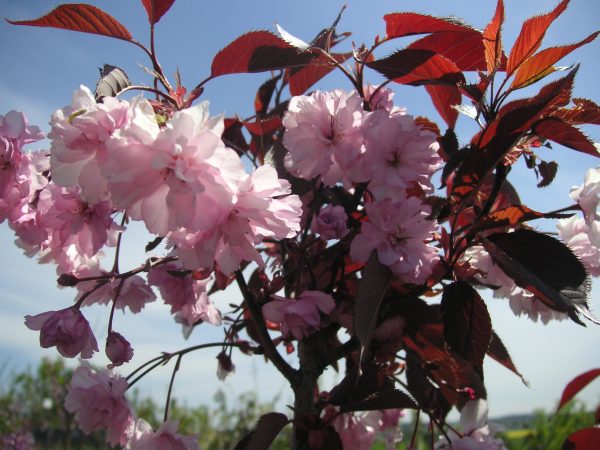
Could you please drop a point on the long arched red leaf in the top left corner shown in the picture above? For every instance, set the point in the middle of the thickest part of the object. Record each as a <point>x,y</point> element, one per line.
<point>80,17</point>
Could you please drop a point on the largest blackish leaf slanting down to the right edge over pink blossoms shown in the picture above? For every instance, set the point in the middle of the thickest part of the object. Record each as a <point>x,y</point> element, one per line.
<point>545,267</point>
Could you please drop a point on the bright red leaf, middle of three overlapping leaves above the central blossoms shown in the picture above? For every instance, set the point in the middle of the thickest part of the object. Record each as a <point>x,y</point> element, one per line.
<point>463,48</point>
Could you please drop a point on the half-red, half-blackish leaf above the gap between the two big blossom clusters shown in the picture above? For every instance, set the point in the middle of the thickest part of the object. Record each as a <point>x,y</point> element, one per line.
<point>257,51</point>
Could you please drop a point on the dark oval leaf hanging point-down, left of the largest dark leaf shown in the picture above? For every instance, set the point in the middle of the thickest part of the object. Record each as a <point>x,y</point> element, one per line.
<point>467,323</point>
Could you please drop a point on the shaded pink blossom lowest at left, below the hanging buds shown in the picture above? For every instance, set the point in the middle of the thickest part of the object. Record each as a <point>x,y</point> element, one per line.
<point>97,398</point>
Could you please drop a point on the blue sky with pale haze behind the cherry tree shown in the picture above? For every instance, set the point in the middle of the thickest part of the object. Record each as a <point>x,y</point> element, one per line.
<point>42,67</point>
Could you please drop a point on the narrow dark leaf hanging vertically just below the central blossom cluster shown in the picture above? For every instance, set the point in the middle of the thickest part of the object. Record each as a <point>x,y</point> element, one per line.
<point>371,289</point>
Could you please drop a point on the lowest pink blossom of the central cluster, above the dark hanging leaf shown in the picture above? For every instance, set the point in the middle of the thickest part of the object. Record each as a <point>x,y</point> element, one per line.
<point>399,232</point>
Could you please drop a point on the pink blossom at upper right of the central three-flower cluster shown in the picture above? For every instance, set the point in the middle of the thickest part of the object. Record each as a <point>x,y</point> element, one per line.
<point>398,154</point>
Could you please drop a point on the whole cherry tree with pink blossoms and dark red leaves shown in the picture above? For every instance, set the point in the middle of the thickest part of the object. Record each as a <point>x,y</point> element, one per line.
<point>358,236</point>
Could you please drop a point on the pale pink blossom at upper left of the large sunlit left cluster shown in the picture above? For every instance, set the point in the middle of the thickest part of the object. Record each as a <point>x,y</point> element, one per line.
<point>79,135</point>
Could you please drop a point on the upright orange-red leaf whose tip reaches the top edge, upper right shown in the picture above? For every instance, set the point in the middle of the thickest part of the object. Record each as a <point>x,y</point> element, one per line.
<point>530,37</point>
